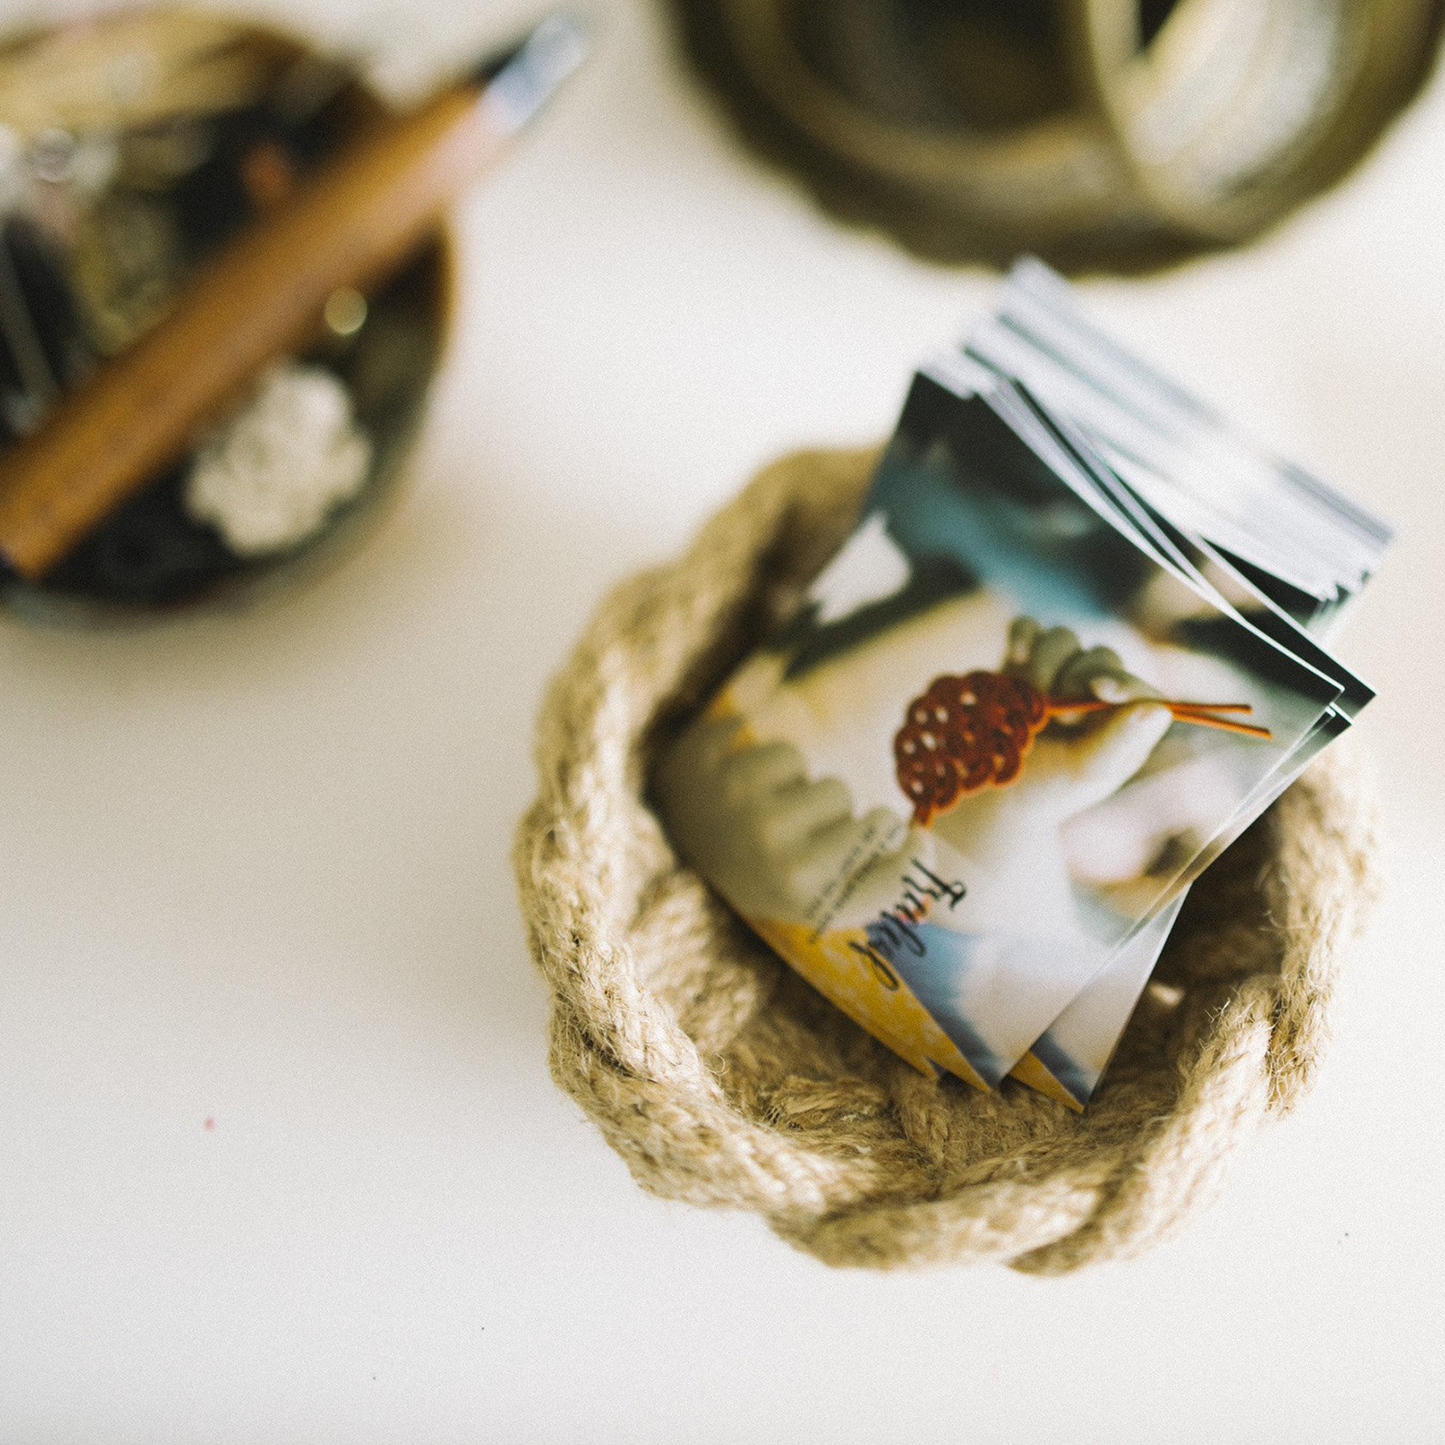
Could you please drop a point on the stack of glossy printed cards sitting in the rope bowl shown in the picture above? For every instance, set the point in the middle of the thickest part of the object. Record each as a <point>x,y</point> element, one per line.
<point>1070,654</point>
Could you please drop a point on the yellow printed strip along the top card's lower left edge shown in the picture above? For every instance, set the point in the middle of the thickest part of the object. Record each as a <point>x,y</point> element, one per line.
<point>872,996</point>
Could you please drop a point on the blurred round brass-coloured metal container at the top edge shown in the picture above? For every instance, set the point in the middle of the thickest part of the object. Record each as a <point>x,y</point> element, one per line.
<point>1100,134</point>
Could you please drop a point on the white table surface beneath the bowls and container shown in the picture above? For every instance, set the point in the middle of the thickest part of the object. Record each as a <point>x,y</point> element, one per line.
<point>256,875</point>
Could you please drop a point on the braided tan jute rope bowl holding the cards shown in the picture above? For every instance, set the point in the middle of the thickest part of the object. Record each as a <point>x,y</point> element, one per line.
<point>725,1080</point>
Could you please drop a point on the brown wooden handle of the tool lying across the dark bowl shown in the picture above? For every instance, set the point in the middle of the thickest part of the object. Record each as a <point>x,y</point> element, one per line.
<point>262,297</point>
